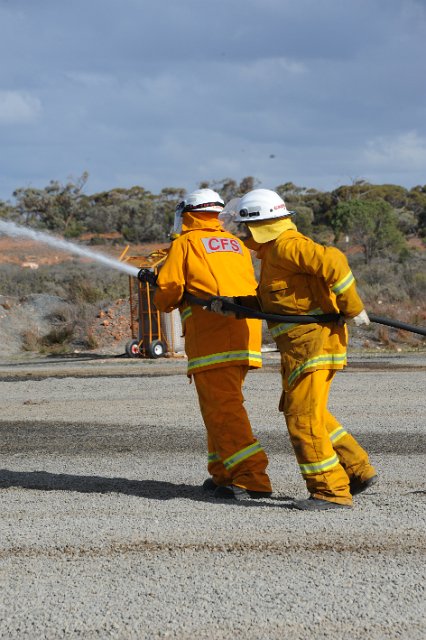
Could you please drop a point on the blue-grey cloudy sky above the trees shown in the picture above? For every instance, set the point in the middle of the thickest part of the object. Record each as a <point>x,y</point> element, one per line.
<point>170,93</point>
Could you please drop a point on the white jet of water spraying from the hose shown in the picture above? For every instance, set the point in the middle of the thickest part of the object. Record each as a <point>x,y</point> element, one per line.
<point>16,231</point>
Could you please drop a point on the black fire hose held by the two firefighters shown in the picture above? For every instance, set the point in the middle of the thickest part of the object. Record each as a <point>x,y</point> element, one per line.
<point>147,276</point>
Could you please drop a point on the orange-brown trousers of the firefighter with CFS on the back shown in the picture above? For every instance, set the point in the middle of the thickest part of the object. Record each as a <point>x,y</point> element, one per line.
<point>235,456</point>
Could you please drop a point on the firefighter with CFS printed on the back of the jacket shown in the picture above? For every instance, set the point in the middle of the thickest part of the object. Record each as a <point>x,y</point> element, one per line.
<point>205,260</point>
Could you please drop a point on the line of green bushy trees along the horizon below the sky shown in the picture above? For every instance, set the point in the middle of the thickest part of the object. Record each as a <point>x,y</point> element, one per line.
<point>377,218</point>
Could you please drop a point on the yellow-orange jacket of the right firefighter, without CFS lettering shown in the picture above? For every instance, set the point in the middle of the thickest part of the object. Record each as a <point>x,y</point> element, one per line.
<point>299,276</point>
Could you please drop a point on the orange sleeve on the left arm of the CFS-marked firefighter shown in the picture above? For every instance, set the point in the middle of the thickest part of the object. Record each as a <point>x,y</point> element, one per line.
<point>171,279</point>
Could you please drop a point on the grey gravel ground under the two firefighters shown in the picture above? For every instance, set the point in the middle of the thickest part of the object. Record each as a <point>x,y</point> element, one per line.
<point>105,532</point>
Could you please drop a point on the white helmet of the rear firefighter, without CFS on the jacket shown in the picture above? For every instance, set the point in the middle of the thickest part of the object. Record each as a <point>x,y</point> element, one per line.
<point>261,204</point>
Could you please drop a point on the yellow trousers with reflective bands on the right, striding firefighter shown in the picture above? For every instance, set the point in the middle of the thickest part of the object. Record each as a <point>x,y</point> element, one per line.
<point>328,456</point>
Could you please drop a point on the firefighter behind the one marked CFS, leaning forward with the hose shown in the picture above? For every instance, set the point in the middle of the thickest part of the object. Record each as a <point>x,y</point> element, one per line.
<point>301,277</point>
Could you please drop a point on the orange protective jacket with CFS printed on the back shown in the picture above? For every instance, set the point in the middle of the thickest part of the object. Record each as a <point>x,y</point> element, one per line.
<point>205,260</point>
